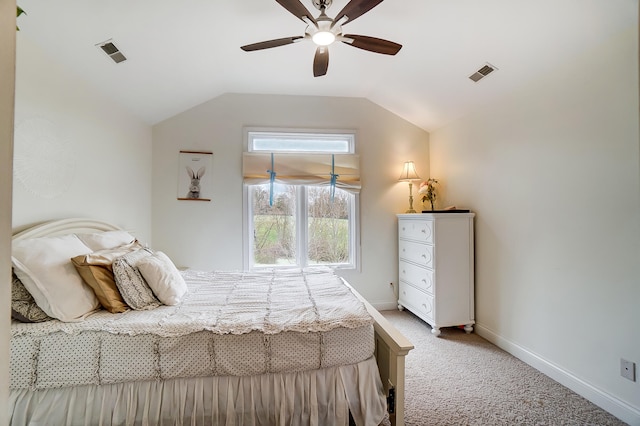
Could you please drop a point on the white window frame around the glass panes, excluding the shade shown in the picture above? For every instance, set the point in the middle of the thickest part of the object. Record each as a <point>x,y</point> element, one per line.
<point>302,235</point>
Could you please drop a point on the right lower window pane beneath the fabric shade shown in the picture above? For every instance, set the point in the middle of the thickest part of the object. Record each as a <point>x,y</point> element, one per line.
<point>328,226</point>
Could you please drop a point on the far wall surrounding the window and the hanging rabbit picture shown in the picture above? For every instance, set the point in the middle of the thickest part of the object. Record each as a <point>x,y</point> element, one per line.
<point>208,235</point>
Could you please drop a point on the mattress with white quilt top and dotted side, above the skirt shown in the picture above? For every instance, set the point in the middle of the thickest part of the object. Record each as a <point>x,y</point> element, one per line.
<point>229,324</point>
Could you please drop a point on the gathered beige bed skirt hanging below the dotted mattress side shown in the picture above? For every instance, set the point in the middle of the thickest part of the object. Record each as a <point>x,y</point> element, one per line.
<point>319,397</point>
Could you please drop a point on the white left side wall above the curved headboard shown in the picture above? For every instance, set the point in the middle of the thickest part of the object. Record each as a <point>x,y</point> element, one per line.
<point>90,158</point>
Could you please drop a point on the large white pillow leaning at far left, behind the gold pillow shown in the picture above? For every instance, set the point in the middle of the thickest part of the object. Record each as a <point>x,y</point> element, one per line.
<point>43,266</point>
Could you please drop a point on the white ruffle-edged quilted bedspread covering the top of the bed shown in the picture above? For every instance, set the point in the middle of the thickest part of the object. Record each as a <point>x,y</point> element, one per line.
<point>304,300</point>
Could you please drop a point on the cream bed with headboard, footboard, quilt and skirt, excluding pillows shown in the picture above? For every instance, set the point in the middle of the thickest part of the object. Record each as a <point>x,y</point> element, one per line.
<point>238,348</point>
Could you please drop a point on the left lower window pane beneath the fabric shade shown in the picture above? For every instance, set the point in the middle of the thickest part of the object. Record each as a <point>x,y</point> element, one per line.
<point>274,227</point>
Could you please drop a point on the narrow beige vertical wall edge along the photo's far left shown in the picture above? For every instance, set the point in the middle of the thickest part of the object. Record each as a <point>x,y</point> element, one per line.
<point>7,71</point>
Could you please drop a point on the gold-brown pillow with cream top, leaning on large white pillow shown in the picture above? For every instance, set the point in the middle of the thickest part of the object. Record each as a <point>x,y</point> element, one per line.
<point>96,270</point>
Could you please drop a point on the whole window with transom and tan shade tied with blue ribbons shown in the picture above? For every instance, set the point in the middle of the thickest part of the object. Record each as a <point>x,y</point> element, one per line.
<point>301,216</point>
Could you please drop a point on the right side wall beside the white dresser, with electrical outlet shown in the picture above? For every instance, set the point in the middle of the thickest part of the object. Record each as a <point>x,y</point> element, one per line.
<point>553,173</point>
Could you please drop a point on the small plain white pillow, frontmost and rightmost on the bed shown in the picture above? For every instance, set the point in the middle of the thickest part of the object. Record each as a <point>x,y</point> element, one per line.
<point>163,277</point>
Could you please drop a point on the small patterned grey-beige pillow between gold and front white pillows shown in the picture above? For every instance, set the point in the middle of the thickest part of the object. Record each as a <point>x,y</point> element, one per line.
<point>133,288</point>
